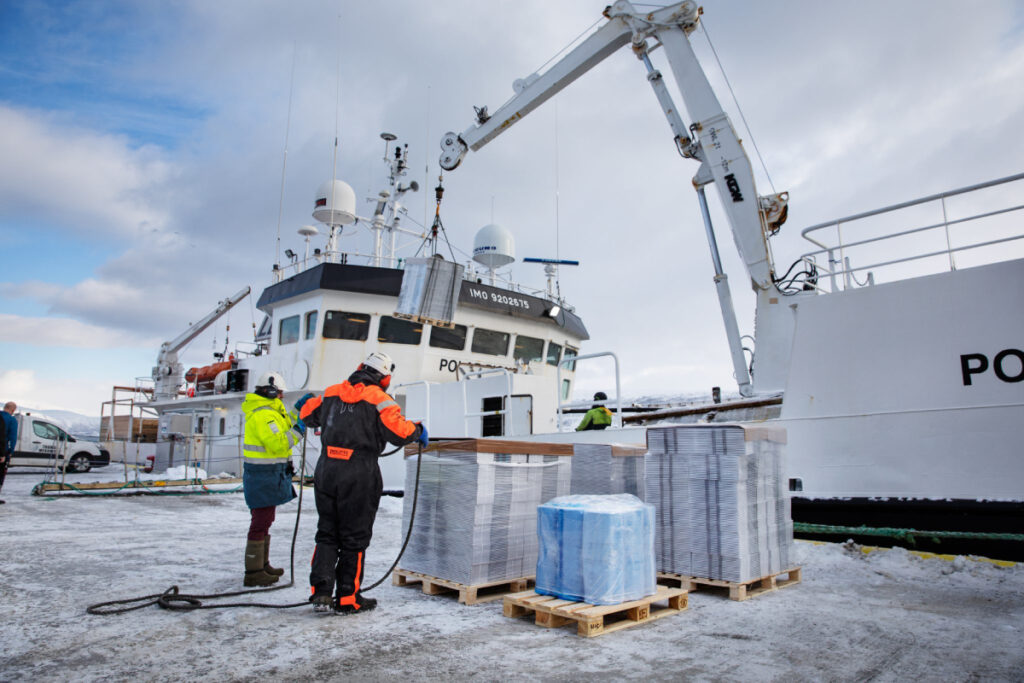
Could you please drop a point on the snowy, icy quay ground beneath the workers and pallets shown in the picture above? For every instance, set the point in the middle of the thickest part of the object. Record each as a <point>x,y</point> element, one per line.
<point>887,616</point>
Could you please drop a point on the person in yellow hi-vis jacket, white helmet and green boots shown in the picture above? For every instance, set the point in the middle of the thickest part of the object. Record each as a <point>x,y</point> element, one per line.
<point>267,477</point>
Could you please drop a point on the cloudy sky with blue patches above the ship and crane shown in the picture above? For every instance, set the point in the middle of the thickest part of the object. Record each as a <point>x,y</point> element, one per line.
<point>142,148</point>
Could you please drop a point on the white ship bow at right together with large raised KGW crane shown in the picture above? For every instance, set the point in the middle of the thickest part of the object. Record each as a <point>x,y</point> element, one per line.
<point>891,352</point>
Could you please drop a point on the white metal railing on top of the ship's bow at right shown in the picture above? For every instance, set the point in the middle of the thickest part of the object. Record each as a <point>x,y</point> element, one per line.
<point>964,228</point>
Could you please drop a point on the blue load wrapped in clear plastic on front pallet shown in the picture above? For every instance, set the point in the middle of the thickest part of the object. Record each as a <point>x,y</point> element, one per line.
<point>596,549</point>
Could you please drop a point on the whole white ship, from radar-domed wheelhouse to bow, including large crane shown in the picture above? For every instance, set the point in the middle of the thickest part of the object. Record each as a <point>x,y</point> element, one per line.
<point>891,352</point>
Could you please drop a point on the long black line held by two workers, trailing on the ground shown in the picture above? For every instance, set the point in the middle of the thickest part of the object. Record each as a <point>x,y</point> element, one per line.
<point>175,601</point>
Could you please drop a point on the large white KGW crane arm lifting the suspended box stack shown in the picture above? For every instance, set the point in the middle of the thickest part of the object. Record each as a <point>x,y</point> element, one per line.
<point>711,140</point>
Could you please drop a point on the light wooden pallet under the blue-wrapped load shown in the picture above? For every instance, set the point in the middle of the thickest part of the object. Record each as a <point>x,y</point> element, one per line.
<point>594,620</point>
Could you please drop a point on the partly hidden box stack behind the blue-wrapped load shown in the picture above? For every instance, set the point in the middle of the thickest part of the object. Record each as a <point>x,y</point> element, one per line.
<point>603,468</point>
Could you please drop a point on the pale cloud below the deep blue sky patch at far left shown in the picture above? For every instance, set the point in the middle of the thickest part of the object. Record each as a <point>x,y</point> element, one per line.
<point>84,180</point>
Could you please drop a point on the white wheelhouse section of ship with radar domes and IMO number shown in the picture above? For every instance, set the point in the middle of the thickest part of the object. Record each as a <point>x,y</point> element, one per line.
<point>442,322</point>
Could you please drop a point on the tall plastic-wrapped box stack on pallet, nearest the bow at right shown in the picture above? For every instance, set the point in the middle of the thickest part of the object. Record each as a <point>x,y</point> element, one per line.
<point>722,509</point>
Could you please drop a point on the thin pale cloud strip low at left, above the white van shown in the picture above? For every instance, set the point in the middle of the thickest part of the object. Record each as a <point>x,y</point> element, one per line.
<point>66,332</point>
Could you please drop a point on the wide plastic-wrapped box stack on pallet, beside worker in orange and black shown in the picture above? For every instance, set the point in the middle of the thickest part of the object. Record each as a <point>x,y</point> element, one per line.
<point>477,511</point>
